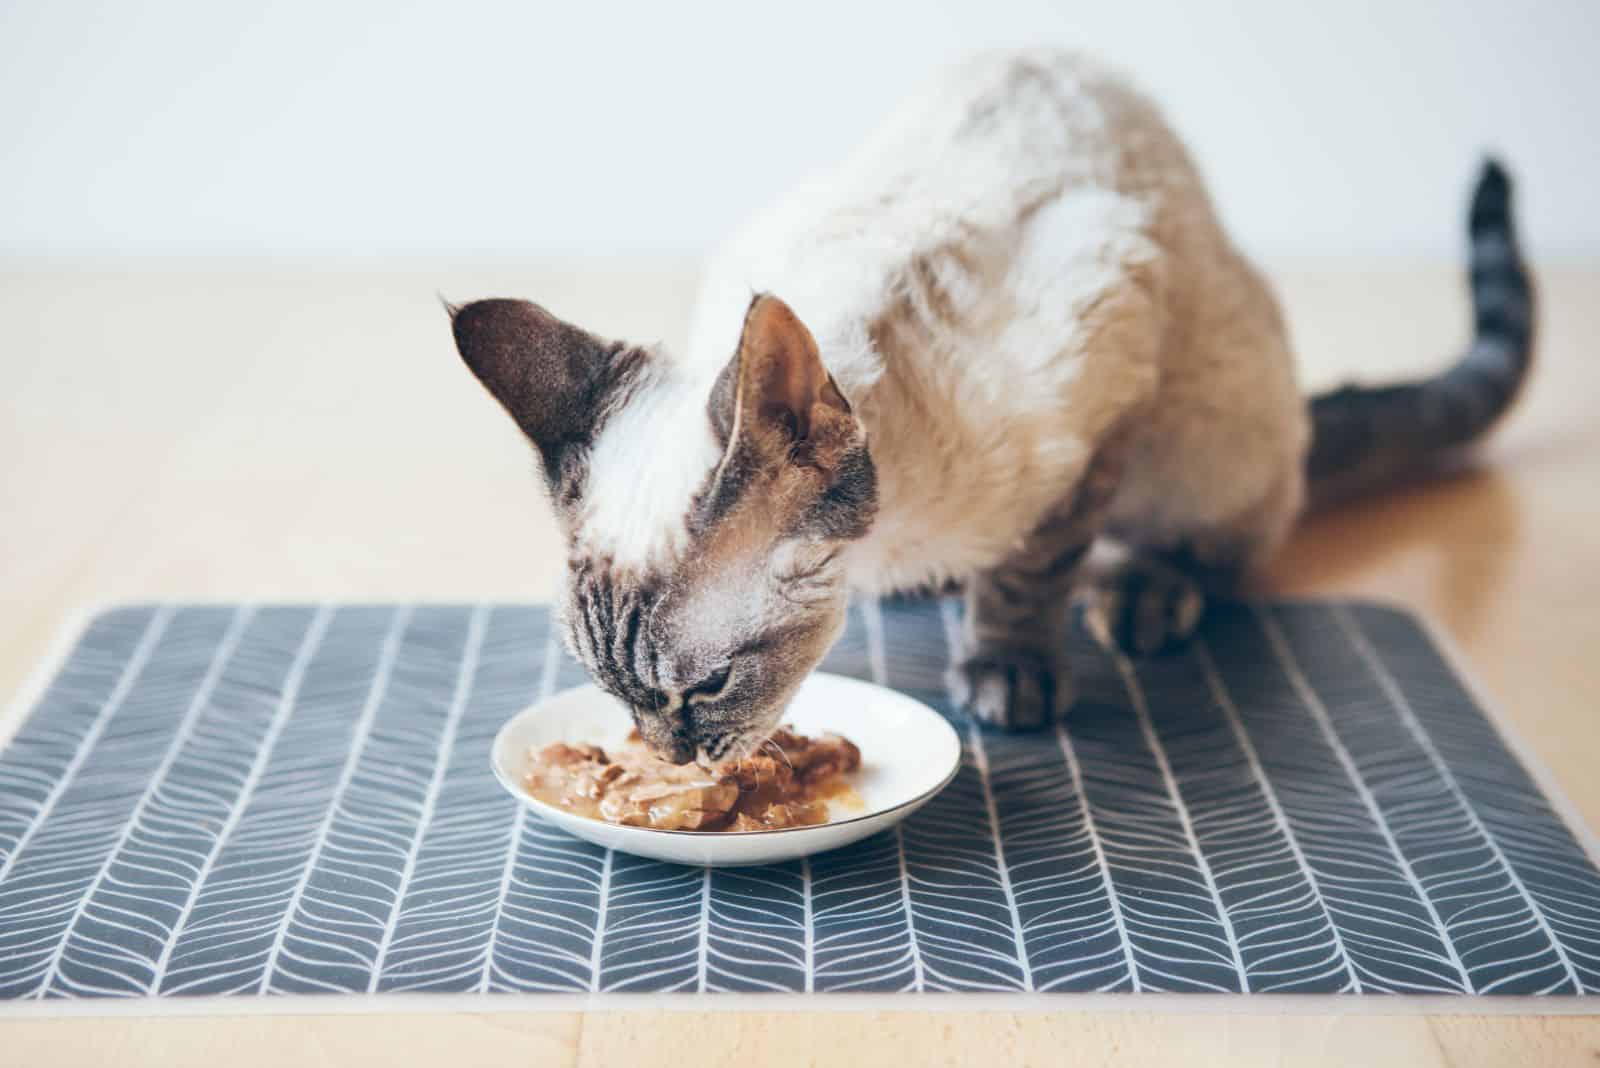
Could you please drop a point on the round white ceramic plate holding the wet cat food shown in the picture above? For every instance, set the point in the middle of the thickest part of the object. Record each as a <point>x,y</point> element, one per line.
<point>908,755</point>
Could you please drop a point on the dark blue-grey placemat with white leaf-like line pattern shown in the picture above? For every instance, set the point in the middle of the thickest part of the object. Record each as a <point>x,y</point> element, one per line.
<point>265,800</point>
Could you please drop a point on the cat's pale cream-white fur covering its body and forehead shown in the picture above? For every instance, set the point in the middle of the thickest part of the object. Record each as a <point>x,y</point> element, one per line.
<point>1018,265</point>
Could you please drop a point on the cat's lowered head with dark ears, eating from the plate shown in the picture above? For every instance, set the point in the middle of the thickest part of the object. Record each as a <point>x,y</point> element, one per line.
<point>705,512</point>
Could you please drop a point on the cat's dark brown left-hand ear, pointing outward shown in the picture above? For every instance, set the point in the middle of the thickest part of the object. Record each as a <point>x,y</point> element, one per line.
<point>551,377</point>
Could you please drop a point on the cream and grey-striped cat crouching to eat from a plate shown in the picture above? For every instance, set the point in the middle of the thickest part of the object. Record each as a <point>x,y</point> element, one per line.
<point>1006,330</point>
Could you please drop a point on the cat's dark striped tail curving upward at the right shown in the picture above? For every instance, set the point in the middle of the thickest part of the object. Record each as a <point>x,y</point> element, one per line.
<point>1367,437</point>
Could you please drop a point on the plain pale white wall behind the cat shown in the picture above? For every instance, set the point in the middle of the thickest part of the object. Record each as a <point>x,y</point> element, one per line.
<point>599,129</point>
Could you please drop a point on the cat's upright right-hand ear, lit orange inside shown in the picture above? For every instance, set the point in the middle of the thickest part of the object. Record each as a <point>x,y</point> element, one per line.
<point>775,396</point>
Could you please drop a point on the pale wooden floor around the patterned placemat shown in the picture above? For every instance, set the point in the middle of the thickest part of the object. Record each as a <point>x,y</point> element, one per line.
<point>244,431</point>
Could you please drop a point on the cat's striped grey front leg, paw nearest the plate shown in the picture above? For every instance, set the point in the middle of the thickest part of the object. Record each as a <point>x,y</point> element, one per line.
<point>1010,666</point>
